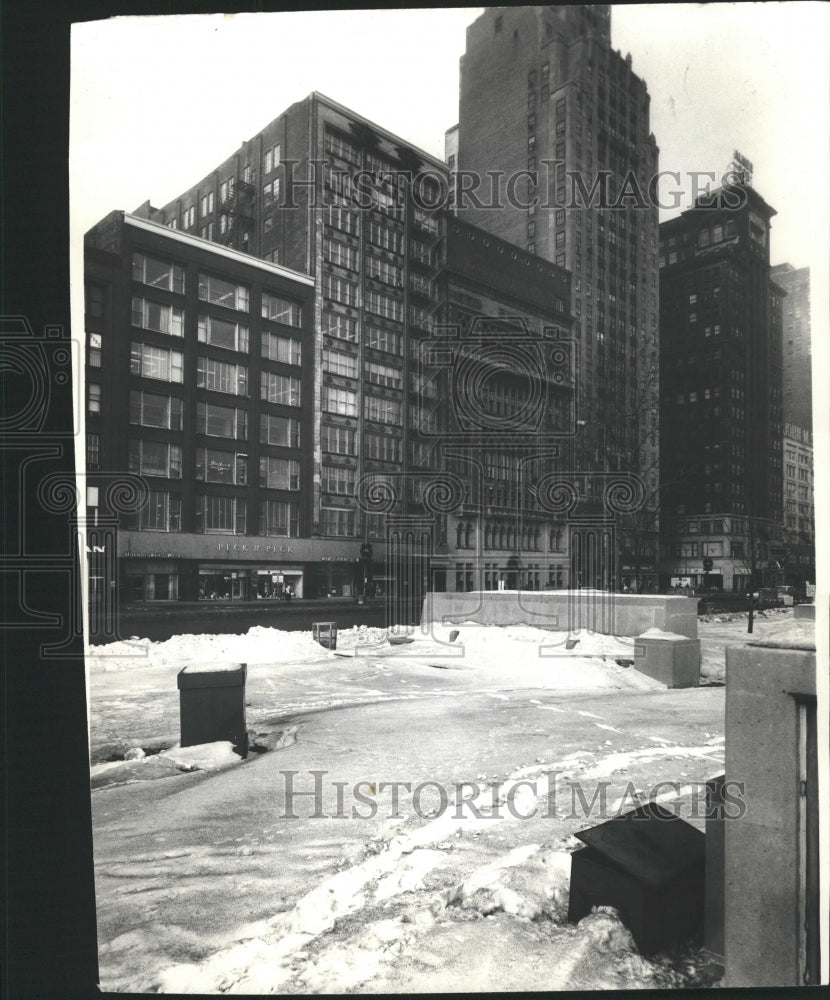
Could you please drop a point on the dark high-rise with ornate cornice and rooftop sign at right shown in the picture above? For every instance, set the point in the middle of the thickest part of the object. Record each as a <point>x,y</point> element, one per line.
<point>721,414</point>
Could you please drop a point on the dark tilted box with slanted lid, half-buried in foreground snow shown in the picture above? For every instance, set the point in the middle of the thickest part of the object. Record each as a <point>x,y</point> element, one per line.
<point>650,866</point>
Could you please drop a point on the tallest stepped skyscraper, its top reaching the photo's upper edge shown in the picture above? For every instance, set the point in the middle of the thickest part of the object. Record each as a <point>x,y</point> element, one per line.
<point>545,98</point>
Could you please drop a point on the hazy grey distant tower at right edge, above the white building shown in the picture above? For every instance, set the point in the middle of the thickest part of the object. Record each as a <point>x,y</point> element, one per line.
<point>798,389</point>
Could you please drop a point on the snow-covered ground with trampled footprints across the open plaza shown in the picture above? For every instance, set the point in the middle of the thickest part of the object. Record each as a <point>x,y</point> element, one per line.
<point>409,825</point>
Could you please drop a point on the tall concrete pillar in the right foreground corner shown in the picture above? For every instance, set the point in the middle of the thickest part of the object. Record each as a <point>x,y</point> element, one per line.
<point>767,850</point>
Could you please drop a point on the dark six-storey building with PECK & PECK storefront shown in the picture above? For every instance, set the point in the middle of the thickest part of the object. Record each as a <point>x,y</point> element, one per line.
<point>199,375</point>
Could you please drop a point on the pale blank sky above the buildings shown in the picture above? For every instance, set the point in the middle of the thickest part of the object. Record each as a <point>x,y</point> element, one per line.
<point>158,101</point>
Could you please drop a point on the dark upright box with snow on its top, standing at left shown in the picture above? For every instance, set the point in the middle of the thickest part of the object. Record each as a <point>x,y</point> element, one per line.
<point>212,704</point>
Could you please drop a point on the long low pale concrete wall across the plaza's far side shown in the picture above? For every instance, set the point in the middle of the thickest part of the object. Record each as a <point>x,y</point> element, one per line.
<point>567,610</point>
